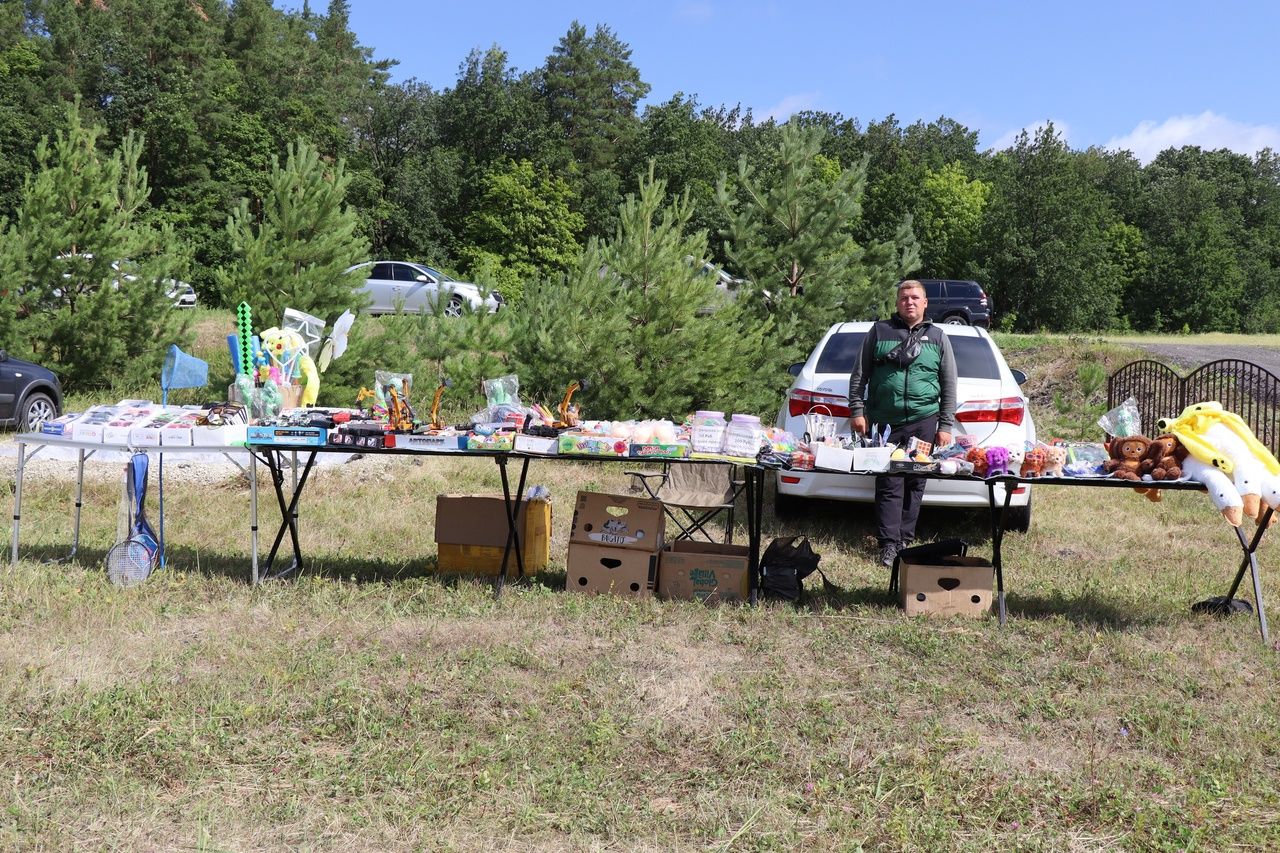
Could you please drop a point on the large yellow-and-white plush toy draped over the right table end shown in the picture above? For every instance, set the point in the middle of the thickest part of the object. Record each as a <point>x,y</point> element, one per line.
<point>1222,441</point>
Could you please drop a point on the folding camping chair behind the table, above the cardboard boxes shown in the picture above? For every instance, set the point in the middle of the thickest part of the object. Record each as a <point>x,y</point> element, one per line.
<point>698,492</point>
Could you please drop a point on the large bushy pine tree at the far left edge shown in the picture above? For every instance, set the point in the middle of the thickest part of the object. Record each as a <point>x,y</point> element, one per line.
<point>92,298</point>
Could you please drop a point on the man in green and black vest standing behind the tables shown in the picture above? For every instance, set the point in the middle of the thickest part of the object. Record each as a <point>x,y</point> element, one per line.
<point>906,378</point>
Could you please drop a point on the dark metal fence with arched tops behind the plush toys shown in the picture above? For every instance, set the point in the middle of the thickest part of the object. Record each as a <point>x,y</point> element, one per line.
<point>1249,390</point>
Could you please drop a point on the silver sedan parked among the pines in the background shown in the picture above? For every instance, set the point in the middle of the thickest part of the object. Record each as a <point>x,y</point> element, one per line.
<point>417,289</point>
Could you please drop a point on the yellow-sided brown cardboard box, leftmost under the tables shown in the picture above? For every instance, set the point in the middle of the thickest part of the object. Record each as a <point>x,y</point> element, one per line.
<point>472,535</point>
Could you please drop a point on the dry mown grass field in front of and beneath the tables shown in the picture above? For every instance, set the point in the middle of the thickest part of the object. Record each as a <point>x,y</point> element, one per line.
<point>373,705</point>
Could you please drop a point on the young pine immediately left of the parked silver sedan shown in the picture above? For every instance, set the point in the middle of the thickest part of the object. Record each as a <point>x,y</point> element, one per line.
<point>296,252</point>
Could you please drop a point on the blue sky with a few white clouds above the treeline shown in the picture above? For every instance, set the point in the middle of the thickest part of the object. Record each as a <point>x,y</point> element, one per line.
<point>1135,75</point>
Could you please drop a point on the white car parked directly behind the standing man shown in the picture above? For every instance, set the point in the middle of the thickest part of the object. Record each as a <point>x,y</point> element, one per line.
<point>990,407</point>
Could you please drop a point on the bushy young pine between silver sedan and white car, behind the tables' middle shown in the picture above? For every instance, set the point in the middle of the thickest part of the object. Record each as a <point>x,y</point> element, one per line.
<point>634,321</point>
